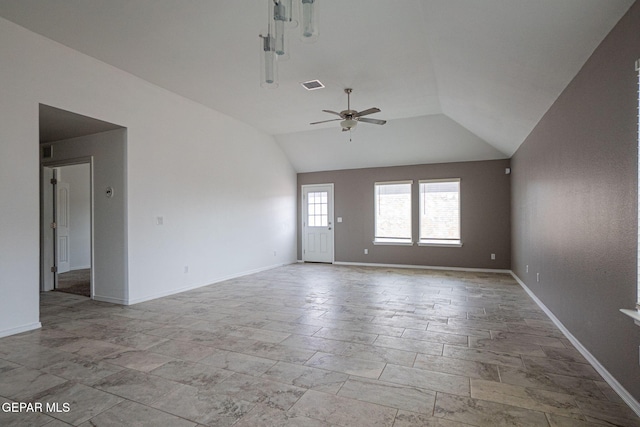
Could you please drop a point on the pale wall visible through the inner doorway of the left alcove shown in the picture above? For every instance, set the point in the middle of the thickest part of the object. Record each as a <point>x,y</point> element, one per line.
<point>78,177</point>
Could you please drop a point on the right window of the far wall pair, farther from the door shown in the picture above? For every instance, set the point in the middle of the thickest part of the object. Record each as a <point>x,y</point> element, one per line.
<point>440,212</point>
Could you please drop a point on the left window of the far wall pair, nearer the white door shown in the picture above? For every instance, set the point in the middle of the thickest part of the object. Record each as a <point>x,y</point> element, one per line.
<point>393,212</point>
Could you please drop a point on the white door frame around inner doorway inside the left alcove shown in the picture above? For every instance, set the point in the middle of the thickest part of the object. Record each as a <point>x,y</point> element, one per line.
<point>48,251</point>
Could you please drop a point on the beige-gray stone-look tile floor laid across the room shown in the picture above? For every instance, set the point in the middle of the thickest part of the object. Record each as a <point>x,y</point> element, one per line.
<point>308,345</point>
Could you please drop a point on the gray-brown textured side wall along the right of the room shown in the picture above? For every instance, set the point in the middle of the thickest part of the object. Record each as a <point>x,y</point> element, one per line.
<point>574,204</point>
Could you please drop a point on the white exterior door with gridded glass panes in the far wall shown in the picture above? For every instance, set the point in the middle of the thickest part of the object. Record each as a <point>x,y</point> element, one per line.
<point>317,223</point>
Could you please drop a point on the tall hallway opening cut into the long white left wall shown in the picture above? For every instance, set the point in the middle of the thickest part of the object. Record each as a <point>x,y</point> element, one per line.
<point>79,234</point>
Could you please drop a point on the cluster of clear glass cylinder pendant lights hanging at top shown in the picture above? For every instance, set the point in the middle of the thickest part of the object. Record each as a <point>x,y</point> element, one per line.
<point>274,45</point>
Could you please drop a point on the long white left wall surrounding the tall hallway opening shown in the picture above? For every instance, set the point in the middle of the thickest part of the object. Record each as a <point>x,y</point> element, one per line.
<point>226,191</point>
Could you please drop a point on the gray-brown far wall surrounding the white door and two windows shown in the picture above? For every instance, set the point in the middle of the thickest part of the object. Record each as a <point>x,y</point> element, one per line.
<point>485,214</point>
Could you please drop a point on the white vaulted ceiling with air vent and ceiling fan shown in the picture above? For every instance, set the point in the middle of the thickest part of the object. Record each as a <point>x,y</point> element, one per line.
<point>457,80</point>
